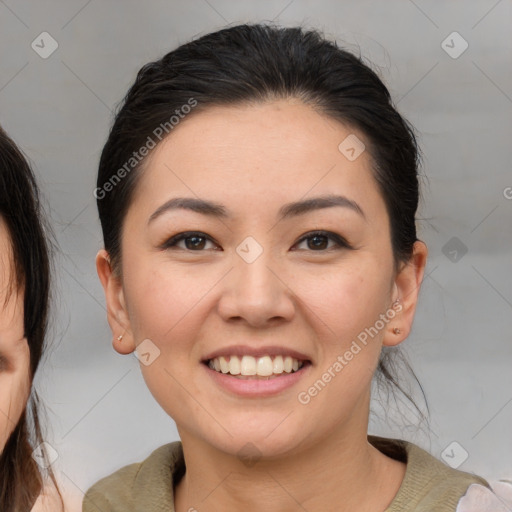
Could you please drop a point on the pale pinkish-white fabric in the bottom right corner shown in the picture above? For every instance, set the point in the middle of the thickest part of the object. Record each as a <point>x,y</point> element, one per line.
<point>481,499</point>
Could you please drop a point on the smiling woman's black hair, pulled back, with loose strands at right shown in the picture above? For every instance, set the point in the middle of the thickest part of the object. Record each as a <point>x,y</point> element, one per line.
<point>253,64</point>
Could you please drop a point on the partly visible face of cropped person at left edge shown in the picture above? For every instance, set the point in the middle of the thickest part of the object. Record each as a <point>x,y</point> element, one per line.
<point>14,350</point>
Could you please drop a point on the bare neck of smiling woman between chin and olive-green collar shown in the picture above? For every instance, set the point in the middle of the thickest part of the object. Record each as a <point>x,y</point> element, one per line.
<point>341,472</point>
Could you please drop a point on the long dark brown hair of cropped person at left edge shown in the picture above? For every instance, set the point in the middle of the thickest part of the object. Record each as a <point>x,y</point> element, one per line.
<point>21,480</point>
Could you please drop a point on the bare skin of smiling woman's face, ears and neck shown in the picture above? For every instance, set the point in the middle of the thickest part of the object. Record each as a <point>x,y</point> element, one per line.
<point>254,159</point>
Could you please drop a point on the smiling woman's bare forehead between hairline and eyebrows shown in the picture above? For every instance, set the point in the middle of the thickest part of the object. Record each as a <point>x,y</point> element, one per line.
<point>255,155</point>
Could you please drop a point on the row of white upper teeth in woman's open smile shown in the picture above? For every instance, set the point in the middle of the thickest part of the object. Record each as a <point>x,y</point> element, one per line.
<point>262,366</point>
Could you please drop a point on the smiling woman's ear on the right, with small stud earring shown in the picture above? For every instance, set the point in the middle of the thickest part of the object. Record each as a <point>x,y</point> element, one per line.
<point>406,288</point>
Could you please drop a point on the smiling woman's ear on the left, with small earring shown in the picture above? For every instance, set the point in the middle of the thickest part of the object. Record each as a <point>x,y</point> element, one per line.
<point>117,313</point>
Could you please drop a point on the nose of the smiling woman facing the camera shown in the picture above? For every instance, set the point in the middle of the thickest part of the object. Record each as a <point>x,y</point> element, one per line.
<point>256,293</point>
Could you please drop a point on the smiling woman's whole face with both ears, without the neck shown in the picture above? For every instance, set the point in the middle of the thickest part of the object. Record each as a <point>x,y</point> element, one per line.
<point>255,280</point>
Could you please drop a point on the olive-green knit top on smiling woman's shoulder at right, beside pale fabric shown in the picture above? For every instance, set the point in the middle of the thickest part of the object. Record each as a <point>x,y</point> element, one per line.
<point>428,484</point>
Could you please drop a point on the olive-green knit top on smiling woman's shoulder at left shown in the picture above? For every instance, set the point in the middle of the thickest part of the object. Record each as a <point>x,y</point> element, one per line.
<point>148,483</point>
